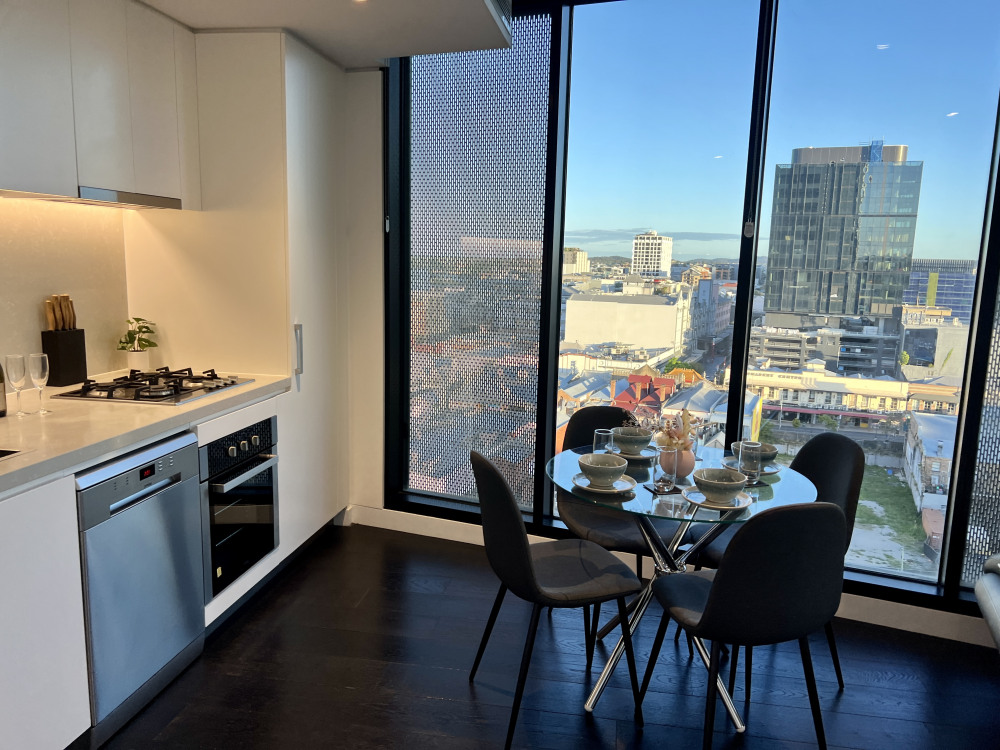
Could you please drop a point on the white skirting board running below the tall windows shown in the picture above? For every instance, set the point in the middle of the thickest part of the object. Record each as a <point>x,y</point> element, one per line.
<point>875,611</point>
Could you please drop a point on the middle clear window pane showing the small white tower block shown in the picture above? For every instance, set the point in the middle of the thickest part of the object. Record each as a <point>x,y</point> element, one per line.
<point>657,157</point>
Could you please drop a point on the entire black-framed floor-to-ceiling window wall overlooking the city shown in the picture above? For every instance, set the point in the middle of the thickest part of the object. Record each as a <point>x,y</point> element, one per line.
<point>859,265</point>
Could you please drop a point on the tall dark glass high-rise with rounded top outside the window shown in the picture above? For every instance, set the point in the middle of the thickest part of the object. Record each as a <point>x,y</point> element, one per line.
<point>842,229</point>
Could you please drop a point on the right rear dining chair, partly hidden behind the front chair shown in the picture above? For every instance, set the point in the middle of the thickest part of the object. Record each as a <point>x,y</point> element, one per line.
<point>835,464</point>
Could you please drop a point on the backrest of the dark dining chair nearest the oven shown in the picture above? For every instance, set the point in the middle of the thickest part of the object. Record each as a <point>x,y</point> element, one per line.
<point>504,534</point>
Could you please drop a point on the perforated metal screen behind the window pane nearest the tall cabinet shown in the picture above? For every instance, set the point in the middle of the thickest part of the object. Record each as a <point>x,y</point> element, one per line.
<point>478,157</point>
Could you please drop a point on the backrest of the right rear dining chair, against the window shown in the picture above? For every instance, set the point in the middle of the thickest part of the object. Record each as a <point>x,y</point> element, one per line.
<point>836,465</point>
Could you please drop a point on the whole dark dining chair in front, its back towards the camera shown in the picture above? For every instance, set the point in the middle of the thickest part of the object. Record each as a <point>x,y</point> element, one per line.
<point>779,580</point>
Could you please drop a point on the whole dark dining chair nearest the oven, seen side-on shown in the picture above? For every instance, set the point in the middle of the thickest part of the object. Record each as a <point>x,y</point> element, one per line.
<point>567,573</point>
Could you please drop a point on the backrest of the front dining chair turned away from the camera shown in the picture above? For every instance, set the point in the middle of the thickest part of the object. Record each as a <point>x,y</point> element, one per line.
<point>780,578</point>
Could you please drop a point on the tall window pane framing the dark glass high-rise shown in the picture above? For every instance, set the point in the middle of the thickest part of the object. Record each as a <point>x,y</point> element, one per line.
<point>879,145</point>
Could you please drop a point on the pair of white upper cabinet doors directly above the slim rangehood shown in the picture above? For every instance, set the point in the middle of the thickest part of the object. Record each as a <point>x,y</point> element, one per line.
<point>125,94</point>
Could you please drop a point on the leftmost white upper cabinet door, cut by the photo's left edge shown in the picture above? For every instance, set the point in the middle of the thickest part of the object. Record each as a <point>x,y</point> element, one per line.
<point>37,150</point>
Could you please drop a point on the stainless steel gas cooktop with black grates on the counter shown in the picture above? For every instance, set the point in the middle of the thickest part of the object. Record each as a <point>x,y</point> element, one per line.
<point>162,386</point>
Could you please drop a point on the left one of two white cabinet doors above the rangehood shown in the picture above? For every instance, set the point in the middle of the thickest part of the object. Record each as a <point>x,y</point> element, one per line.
<point>101,94</point>
